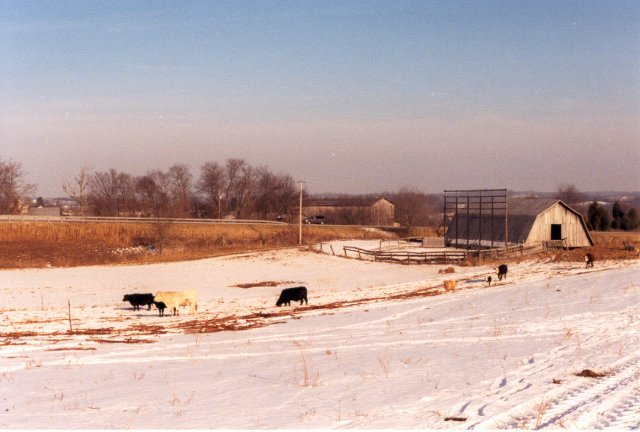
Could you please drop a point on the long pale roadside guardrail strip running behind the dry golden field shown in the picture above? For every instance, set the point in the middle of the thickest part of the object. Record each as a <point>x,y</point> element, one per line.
<point>93,219</point>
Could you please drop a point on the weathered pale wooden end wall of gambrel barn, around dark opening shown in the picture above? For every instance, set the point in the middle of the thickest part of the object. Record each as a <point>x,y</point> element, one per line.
<point>572,228</point>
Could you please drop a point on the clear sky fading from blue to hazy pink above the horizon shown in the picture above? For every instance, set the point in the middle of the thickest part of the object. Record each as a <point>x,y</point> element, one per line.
<point>347,96</point>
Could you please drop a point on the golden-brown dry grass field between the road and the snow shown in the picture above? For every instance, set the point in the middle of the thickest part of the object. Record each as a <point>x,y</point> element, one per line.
<point>61,244</point>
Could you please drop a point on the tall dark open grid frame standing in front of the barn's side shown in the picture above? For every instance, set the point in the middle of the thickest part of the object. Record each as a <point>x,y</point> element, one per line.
<point>473,207</point>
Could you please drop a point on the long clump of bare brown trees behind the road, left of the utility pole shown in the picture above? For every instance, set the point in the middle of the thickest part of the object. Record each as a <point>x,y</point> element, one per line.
<point>233,188</point>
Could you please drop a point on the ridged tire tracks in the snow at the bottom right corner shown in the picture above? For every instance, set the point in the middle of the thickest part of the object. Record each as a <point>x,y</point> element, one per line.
<point>585,403</point>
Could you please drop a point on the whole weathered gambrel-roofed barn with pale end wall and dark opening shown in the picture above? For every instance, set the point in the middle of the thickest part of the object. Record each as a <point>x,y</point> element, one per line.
<point>530,222</point>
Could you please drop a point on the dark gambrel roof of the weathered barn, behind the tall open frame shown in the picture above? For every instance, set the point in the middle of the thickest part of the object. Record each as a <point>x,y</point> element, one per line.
<point>522,213</point>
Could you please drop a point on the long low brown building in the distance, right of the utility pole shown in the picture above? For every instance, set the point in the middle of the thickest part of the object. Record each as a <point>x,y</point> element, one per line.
<point>349,211</point>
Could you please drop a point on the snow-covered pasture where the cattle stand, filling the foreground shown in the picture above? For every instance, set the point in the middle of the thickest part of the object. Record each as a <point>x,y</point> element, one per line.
<point>379,346</point>
